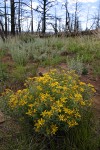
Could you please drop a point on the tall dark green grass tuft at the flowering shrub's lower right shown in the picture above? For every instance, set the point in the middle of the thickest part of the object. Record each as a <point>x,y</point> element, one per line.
<point>83,136</point>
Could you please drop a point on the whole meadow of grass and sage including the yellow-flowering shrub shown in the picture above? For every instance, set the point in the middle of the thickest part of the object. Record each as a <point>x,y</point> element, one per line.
<point>54,110</point>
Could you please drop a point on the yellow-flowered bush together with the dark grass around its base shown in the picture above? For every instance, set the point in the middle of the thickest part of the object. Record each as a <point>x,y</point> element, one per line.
<point>44,103</point>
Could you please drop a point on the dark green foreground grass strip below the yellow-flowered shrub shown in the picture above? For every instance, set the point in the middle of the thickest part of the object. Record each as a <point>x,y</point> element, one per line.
<point>82,137</point>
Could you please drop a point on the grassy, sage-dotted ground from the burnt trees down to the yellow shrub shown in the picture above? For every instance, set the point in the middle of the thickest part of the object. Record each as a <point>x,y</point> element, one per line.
<point>29,52</point>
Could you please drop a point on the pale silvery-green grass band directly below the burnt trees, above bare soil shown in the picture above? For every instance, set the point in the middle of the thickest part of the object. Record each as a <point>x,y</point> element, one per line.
<point>48,51</point>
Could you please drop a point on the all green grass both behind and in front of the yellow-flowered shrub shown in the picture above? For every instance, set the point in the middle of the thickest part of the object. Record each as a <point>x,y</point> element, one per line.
<point>29,53</point>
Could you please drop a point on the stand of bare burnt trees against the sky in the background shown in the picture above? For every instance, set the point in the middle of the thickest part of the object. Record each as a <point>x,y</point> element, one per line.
<point>13,14</point>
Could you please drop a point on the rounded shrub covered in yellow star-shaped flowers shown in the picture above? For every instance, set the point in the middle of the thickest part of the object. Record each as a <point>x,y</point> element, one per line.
<point>54,102</point>
